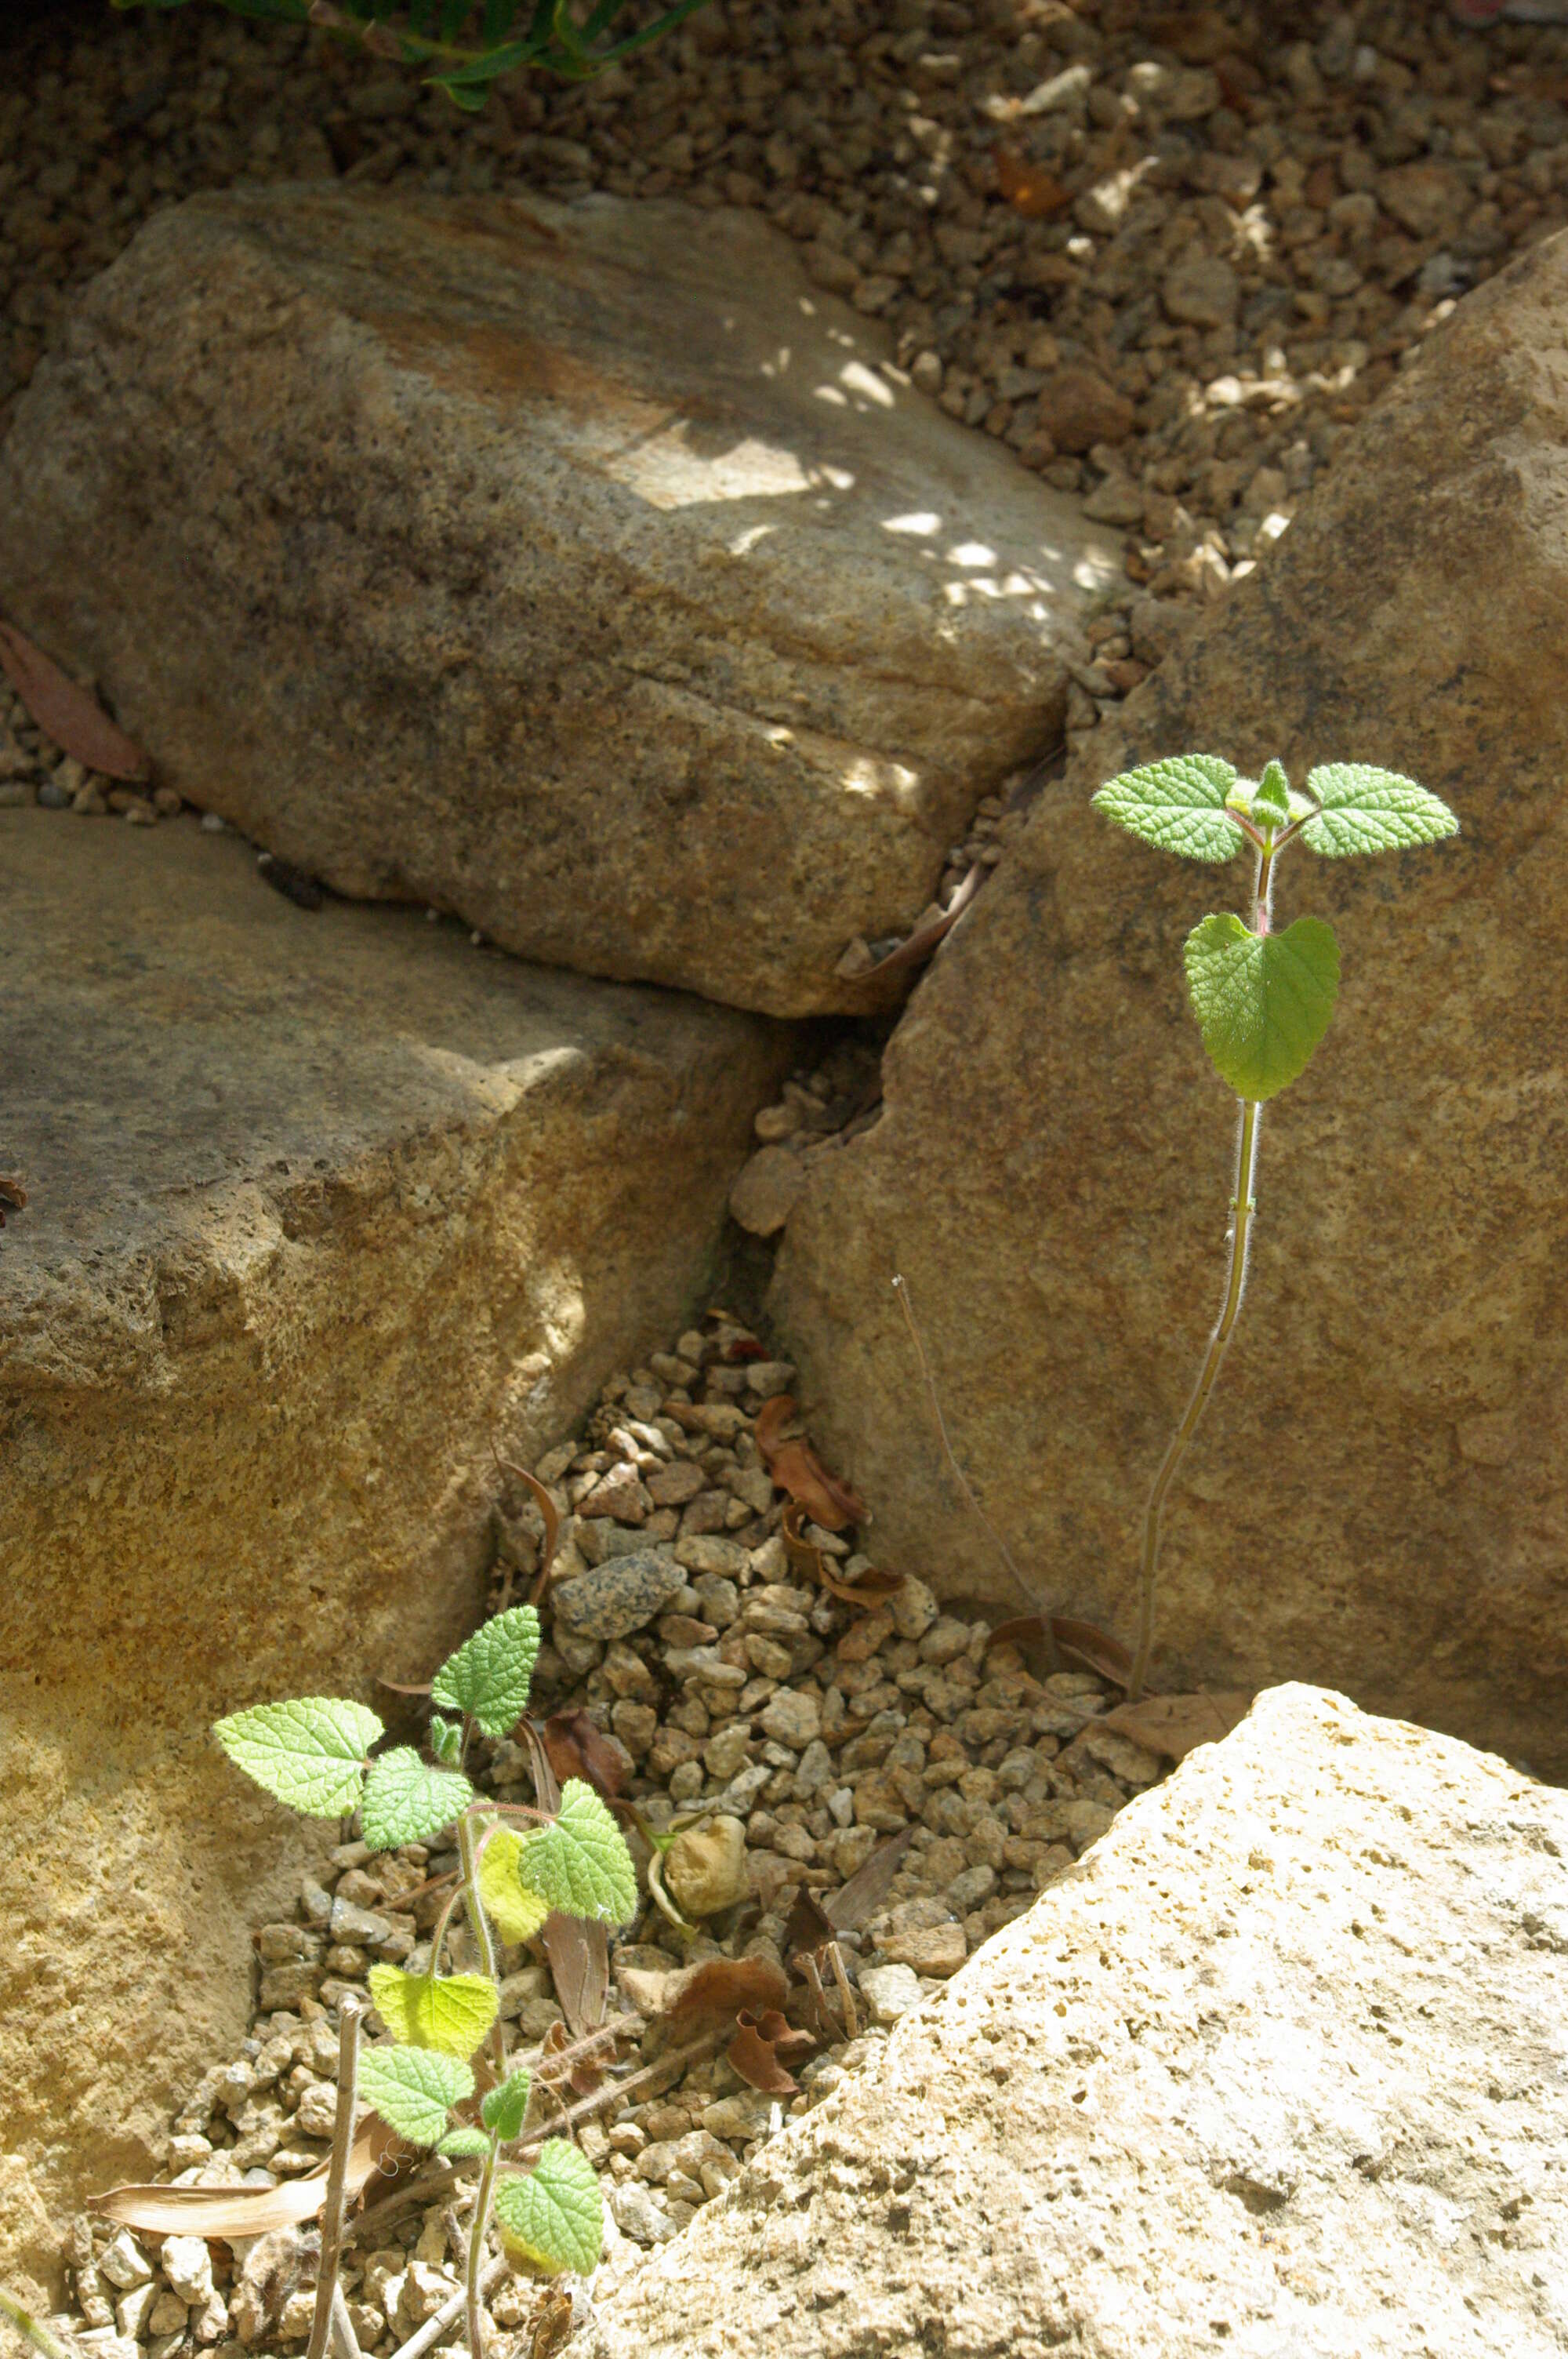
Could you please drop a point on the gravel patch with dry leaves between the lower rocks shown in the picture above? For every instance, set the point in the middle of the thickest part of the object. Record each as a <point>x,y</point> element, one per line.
<point>801,1730</point>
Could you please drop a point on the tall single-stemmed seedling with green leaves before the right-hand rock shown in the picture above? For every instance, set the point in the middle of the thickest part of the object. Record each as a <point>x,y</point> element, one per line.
<point>1263,999</point>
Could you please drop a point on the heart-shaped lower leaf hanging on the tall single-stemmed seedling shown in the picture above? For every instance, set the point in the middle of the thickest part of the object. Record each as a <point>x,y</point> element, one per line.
<point>1263,999</point>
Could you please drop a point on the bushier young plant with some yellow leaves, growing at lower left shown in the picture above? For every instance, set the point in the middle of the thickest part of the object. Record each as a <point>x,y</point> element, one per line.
<point>515,1867</point>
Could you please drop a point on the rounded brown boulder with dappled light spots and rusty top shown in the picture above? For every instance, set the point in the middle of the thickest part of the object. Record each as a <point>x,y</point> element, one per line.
<point>577,570</point>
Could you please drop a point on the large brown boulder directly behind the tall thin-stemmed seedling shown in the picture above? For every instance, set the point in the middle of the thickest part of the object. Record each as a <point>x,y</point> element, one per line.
<point>1376,1497</point>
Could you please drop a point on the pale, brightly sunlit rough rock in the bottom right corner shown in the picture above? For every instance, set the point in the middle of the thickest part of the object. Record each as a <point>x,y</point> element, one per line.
<point>1277,2070</point>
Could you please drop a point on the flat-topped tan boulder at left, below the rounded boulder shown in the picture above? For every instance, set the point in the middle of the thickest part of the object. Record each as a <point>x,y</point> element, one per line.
<point>322,1207</point>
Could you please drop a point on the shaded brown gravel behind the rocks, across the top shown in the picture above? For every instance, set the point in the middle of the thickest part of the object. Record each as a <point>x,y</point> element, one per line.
<point>1166,258</point>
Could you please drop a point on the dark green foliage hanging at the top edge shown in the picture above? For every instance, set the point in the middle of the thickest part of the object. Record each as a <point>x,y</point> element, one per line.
<point>470,44</point>
